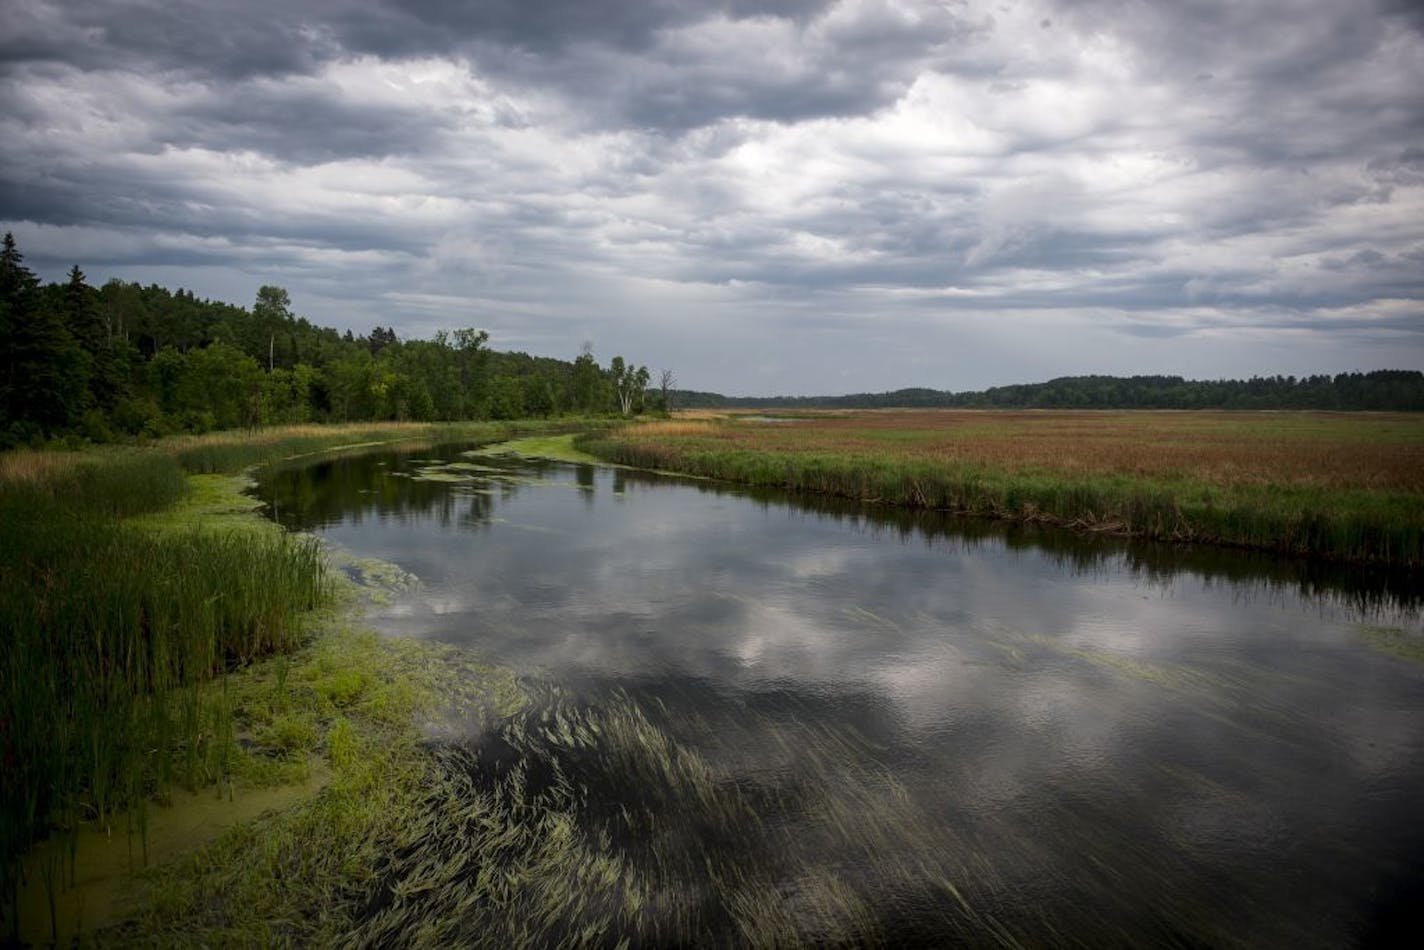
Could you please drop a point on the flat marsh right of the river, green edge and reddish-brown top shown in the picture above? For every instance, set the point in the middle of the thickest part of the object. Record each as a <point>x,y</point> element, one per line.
<point>972,474</point>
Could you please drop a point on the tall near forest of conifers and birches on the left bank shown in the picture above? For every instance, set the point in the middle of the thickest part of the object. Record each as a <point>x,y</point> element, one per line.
<point>125,361</point>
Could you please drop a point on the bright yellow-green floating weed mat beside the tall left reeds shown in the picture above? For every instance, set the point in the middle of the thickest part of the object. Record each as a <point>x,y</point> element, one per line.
<point>273,723</point>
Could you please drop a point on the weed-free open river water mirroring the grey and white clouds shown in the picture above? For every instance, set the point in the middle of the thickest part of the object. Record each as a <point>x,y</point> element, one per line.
<point>1057,706</point>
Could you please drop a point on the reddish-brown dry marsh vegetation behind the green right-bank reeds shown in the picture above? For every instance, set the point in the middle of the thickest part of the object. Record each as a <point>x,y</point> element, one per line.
<point>1336,451</point>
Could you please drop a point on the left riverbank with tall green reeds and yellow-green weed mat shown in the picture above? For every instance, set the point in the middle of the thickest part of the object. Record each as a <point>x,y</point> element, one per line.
<point>179,666</point>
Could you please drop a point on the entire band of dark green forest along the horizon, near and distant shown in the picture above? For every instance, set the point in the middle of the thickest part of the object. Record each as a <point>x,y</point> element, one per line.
<point>129,361</point>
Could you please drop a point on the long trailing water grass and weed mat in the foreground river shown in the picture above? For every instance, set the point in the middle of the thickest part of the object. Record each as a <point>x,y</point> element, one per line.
<point>577,823</point>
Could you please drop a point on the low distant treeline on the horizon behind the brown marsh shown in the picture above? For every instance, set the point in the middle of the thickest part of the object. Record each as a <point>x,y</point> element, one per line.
<point>1388,390</point>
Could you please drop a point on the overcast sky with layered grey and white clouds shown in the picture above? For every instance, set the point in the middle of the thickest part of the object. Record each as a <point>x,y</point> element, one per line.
<point>767,197</point>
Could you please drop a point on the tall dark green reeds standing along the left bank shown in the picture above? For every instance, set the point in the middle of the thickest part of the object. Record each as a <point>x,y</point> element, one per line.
<point>112,630</point>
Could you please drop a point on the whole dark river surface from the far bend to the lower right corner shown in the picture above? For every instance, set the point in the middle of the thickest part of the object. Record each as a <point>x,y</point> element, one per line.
<point>932,731</point>
